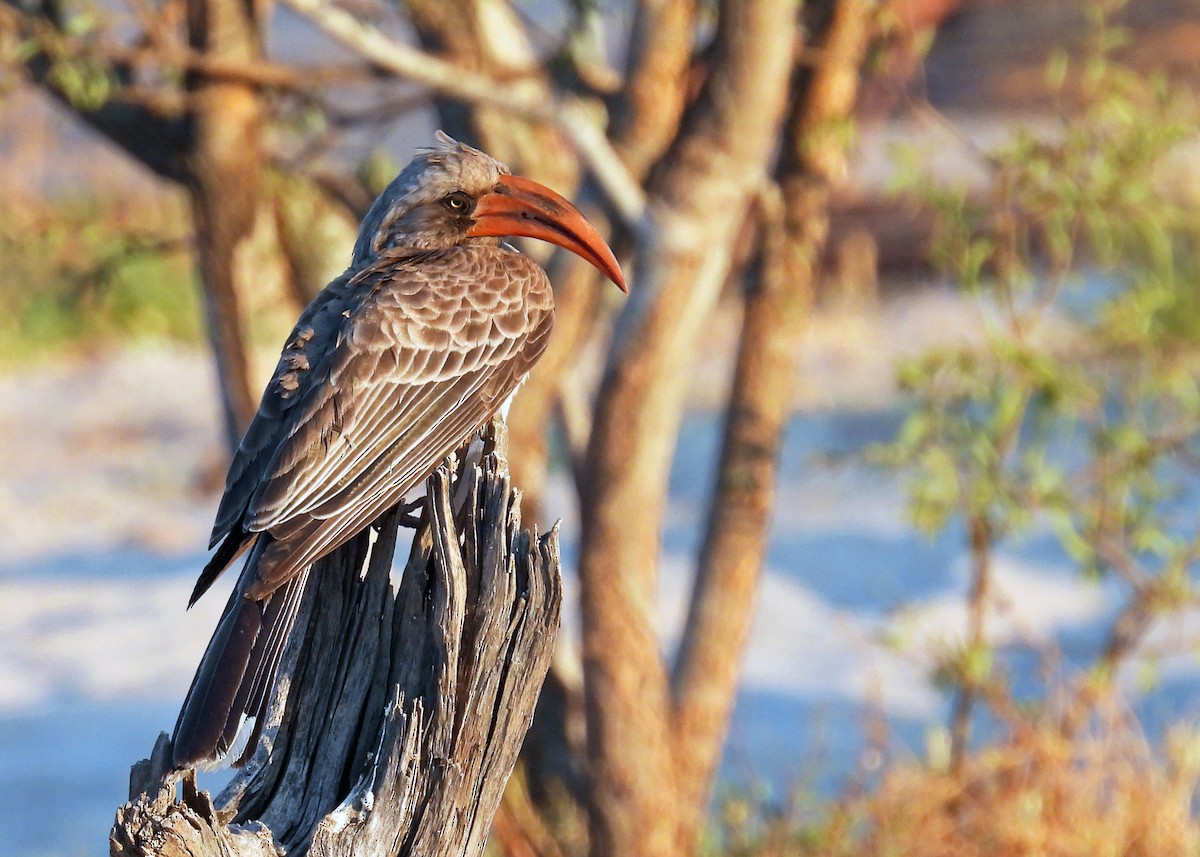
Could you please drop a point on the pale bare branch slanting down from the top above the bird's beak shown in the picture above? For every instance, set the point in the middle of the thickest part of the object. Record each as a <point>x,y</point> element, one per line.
<point>568,115</point>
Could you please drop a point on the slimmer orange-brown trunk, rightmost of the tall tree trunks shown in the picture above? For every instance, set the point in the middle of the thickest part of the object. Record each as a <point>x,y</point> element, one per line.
<point>722,610</point>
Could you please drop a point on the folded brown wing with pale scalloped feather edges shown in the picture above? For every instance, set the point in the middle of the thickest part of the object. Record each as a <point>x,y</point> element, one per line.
<point>422,356</point>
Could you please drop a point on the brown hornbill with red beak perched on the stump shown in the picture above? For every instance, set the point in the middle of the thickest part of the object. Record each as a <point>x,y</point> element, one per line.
<point>391,369</point>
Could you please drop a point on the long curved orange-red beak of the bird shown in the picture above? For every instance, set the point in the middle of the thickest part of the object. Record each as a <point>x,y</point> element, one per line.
<point>523,207</point>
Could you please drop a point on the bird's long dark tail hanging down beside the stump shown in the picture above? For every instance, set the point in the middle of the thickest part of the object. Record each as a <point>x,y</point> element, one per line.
<point>232,687</point>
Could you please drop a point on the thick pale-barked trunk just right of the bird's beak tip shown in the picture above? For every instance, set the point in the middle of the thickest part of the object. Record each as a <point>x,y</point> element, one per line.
<point>703,195</point>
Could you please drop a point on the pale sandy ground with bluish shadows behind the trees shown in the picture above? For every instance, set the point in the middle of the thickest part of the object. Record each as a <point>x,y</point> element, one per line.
<point>109,476</point>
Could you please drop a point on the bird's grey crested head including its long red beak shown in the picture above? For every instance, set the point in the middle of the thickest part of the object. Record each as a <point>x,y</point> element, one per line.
<point>454,195</point>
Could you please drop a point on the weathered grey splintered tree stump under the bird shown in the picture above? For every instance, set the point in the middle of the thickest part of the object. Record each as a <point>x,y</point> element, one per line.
<point>399,715</point>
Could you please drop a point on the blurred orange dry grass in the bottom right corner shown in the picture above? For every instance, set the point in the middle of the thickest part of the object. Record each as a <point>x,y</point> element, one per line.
<point>1106,793</point>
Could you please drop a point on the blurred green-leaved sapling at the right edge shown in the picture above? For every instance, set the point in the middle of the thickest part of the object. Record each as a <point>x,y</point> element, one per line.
<point>1082,410</point>
